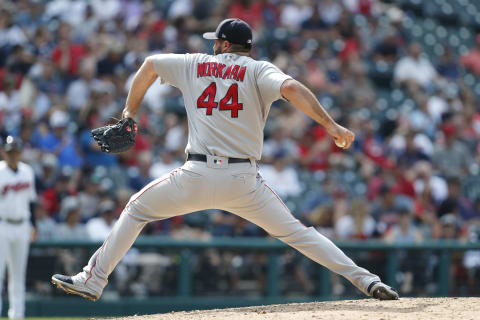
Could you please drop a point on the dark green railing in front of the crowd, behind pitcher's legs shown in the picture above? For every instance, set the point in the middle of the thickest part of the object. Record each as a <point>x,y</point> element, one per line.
<point>184,300</point>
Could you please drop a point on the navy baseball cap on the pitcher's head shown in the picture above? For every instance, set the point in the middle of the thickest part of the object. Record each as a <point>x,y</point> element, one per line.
<point>233,30</point>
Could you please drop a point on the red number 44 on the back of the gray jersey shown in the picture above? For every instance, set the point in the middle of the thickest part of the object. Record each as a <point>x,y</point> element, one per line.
<point>228,103</point>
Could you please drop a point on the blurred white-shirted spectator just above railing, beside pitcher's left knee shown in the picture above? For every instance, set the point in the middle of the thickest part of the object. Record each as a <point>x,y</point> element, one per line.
<point>98,228</point>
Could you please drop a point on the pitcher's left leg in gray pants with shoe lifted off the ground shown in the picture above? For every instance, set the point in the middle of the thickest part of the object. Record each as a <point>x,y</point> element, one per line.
<point>175,194</point>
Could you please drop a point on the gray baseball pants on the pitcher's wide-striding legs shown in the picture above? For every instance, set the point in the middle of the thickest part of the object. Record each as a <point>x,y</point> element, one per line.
<point>236,188</point>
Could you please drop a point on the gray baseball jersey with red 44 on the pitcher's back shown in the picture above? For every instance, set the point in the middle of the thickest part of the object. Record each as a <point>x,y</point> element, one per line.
<point>227,98</point>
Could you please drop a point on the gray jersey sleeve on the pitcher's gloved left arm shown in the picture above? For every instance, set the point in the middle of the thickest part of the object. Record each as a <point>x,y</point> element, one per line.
<point>170,68</point>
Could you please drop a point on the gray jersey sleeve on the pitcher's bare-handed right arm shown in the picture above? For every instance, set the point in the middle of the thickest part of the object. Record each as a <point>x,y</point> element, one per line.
<point>269,81</point>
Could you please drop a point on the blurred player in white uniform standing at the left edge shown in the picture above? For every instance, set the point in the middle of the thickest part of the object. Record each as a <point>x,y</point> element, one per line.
<point>17,193</point>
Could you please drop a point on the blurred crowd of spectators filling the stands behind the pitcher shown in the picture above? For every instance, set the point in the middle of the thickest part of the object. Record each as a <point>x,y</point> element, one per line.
<point>413,173</point>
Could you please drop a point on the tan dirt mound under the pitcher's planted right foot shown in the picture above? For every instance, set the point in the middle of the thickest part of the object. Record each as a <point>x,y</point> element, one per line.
<point>367,309</point>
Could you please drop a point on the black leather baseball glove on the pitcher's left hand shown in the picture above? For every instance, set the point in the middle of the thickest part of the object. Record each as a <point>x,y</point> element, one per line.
<point>118,137</point>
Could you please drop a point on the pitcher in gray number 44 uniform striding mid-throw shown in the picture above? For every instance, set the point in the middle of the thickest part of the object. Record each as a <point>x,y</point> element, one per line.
<point>227,99</point>
